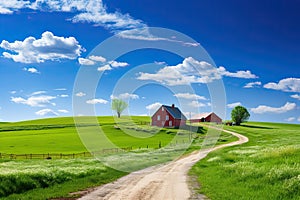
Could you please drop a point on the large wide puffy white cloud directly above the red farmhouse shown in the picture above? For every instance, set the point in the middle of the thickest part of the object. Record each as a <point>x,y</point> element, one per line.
<point>191,71</point>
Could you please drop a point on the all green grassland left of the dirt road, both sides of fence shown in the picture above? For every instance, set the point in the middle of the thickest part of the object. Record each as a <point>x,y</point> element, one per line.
<point>46,179</point>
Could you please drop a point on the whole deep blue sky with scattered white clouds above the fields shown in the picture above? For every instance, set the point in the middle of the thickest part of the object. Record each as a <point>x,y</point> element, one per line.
<point>254,47</point>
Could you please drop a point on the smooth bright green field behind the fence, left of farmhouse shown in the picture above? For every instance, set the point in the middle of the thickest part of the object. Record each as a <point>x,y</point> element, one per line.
<point>59,135</point>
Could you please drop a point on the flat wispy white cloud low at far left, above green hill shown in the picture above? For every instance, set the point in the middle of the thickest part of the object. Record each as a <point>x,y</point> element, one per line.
<point>34,101</point>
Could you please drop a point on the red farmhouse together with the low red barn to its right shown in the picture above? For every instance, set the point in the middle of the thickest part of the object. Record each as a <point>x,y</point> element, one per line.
<point>171,116</point>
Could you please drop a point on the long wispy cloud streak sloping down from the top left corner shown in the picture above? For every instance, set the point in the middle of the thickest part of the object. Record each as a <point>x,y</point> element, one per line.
<point>93,12</point>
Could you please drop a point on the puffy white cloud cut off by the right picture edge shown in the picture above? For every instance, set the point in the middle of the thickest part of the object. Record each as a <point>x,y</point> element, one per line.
<point>286,85</point>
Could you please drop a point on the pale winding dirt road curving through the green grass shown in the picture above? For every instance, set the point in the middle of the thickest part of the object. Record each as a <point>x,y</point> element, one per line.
<point>161,182</point>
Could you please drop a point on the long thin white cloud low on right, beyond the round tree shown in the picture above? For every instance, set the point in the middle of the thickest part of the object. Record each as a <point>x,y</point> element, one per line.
<point>267,109</point>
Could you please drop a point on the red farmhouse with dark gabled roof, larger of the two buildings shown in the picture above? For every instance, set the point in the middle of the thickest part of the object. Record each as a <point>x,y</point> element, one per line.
<point>168,116</point>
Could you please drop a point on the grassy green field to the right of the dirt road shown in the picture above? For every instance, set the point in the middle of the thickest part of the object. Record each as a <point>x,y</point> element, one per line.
<point>267,167</point>
